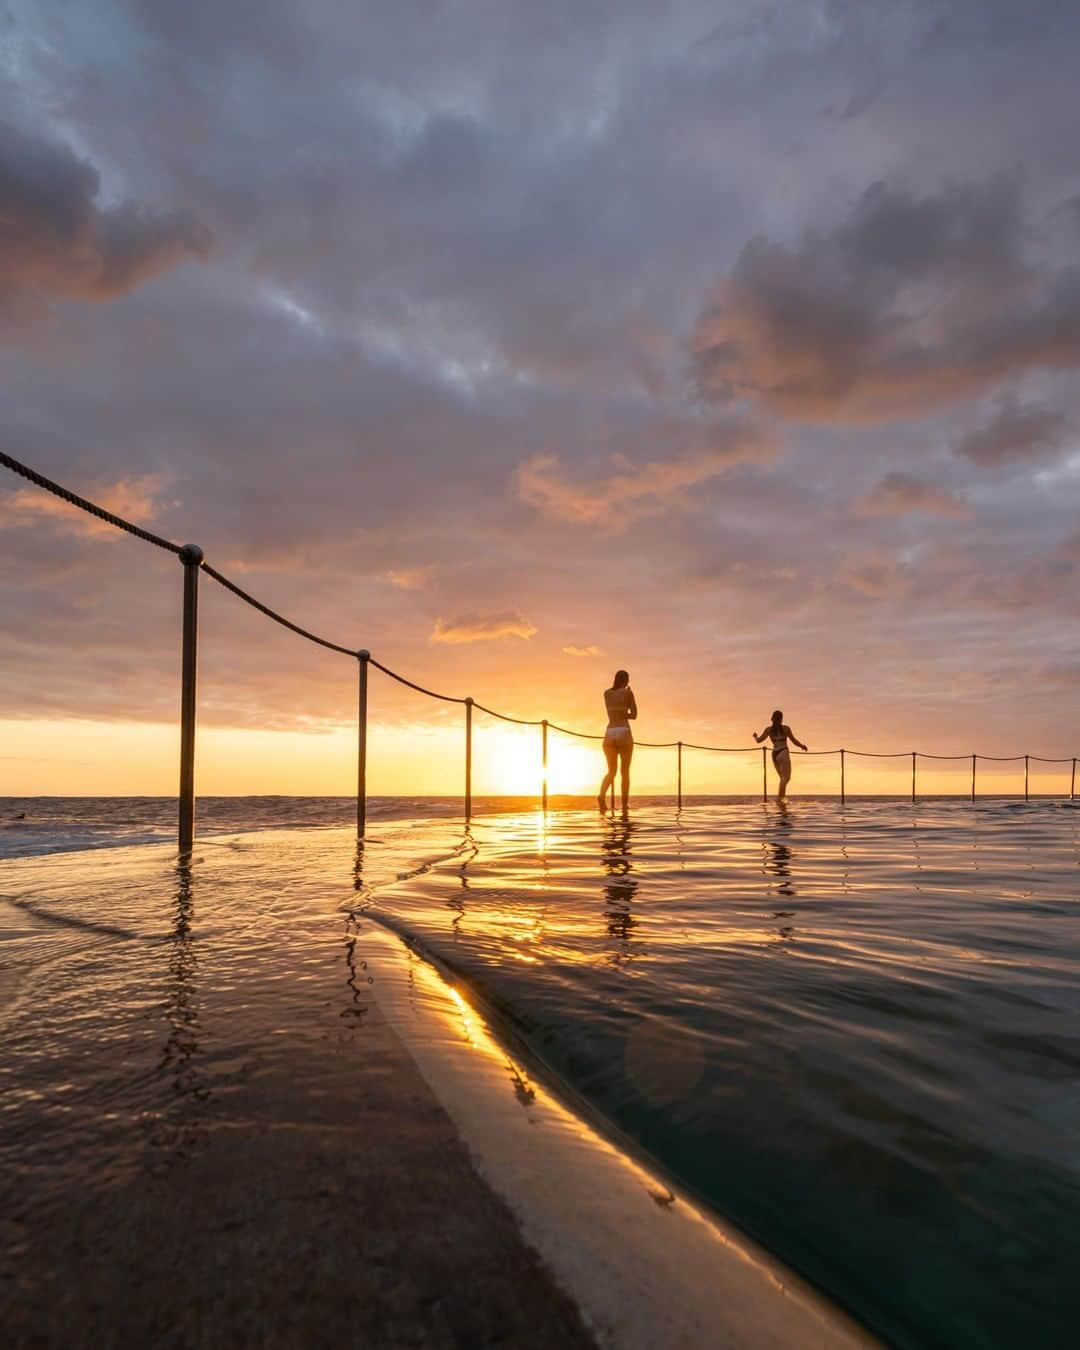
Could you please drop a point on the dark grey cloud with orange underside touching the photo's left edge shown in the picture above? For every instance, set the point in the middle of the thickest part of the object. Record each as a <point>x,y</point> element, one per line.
<point>56,242</point>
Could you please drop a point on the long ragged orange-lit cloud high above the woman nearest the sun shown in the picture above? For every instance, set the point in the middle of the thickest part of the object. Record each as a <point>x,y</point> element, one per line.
<point>626,491</point>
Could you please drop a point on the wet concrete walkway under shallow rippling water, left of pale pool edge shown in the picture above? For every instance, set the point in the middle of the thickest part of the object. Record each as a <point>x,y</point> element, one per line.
<point>211,1137</point>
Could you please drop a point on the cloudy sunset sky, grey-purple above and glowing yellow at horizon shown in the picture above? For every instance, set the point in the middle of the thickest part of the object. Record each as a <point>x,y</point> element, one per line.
<point>732,344</point>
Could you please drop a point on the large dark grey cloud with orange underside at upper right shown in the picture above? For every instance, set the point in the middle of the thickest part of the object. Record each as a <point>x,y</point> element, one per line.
<point>908,306</point>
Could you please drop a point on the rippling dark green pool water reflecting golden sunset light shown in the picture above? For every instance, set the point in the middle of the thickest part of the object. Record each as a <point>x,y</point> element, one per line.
<point>855,1032</point>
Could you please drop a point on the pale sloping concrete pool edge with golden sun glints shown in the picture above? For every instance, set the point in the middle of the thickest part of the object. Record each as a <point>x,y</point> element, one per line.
<point>642,1260</point>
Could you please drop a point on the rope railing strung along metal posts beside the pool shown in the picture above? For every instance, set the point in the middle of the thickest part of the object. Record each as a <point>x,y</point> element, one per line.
<point>194,562</point>
